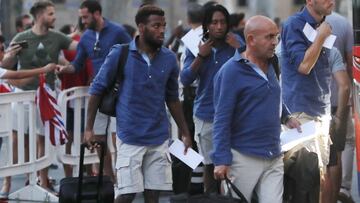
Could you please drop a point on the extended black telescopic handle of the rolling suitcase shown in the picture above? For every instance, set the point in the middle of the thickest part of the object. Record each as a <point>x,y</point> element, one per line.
<point>81,168</point>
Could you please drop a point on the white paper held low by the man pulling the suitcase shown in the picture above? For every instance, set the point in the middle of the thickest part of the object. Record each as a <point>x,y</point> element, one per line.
<point>192,158</point>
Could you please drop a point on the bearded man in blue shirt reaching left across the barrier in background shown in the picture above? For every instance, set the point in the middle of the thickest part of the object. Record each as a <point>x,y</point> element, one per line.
<point>95,44</point>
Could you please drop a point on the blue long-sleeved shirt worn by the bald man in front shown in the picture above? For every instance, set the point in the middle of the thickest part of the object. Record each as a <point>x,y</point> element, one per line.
<point>248,111</point>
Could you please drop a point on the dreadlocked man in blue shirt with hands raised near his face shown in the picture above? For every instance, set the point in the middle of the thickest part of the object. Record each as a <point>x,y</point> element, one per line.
<point>218,47</point>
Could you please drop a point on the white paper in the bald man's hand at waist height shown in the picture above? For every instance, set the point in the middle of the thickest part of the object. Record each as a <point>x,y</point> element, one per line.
<point>292,137</point>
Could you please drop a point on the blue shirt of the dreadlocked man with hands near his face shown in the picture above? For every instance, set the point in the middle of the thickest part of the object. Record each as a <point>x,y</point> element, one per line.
<point>203,103</point>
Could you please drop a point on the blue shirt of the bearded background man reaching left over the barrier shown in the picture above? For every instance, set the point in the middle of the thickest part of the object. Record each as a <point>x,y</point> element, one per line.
<point>110,34</point>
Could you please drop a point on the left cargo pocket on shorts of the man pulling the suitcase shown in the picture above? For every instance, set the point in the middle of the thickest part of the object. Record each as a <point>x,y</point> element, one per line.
<point>124,174</point>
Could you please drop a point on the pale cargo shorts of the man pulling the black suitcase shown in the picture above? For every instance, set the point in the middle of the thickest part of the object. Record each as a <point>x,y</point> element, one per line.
<point>142,167</point>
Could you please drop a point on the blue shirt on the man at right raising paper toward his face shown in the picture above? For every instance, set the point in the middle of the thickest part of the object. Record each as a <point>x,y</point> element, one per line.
<point>303,93</point>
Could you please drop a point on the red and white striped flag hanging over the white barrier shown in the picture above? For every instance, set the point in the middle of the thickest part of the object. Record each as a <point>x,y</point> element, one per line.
<point>50,114</point>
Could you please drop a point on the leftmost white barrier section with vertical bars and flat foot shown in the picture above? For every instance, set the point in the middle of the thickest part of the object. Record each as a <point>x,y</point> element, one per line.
<point>25,107</point>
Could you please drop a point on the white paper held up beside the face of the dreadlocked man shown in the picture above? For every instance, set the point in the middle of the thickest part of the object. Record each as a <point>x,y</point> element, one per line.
<point>192,39</point>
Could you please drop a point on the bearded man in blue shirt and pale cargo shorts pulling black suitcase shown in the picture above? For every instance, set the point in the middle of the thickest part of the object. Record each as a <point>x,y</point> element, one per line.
<point>142,126</point>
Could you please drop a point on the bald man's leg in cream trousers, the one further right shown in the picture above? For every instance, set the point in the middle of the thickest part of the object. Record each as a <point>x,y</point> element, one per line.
<point>270,186</point>
